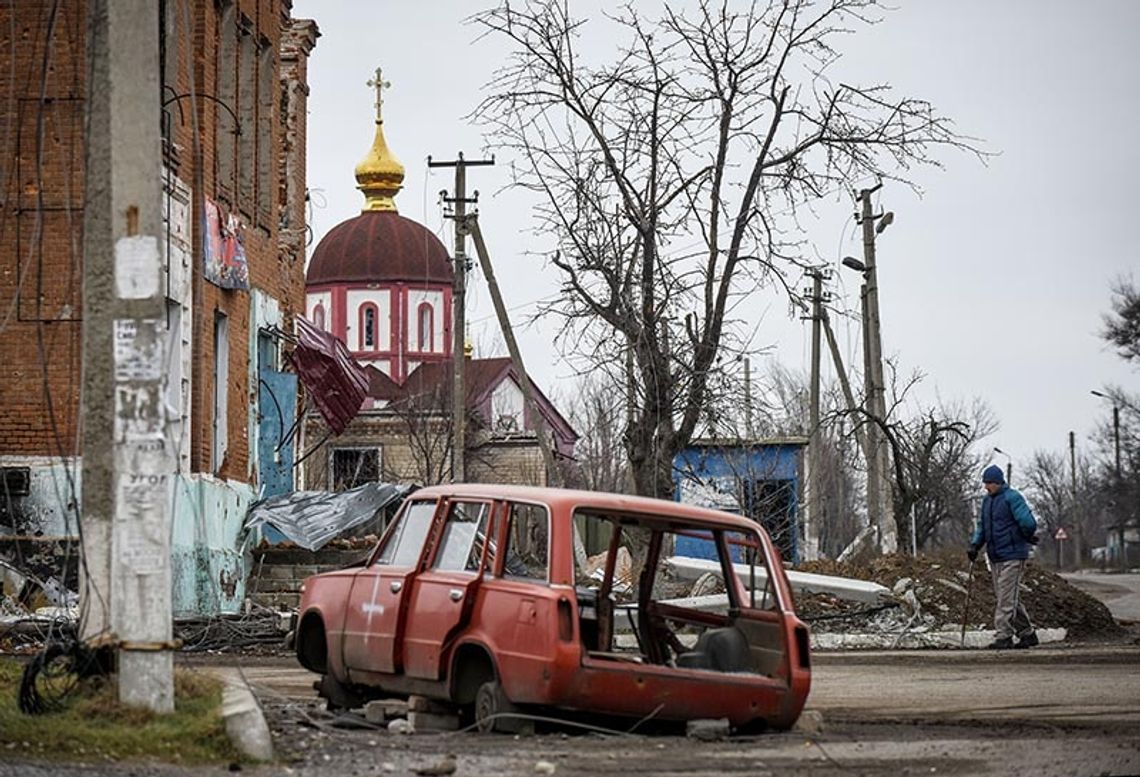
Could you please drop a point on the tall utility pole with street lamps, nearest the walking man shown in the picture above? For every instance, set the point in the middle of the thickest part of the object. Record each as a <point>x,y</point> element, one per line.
<point>877,406</point>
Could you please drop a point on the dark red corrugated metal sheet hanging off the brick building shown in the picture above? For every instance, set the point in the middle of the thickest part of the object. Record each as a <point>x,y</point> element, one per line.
<point>335,380</point>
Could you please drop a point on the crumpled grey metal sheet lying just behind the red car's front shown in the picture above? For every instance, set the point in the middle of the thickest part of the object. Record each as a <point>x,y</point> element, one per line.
<point>312,519</point>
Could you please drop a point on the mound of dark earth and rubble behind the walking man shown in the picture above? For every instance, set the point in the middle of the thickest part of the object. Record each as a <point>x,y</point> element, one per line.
<point>938,585</point>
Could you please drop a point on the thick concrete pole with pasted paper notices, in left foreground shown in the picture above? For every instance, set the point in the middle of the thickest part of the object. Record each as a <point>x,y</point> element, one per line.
<point>127,485</point>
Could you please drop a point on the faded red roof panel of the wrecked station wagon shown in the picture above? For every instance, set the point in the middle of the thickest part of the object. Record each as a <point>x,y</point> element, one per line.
<point>575,500</point>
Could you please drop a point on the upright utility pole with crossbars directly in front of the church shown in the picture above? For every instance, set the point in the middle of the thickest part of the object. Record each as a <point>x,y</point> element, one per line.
<point>460,308</point>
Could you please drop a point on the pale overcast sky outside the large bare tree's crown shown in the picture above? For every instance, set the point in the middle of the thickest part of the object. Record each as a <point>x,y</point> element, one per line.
<point>994,283</point>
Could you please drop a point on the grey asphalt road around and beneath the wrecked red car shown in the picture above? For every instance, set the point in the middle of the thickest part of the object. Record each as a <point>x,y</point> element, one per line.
<point>1041,713</point>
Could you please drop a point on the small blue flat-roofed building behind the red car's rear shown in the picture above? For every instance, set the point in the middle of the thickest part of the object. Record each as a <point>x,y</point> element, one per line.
<point>758,479</point>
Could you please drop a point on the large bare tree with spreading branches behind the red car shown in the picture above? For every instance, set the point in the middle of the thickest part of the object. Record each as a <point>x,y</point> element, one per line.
<point>670,176</point>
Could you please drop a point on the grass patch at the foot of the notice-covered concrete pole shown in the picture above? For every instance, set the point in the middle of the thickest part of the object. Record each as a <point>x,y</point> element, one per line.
<point>94,727</point>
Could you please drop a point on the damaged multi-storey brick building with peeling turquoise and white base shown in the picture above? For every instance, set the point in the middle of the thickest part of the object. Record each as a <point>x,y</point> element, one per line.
<point>233,117</point>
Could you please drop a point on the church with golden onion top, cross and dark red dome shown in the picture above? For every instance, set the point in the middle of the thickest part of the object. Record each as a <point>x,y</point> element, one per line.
<point>382,284</point>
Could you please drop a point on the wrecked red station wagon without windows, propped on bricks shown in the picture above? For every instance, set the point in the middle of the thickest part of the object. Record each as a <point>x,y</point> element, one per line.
<point>416,628</point>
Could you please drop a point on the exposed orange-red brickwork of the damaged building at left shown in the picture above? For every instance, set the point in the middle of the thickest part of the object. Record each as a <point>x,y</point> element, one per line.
<point>42,203</point>
